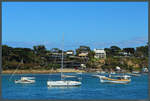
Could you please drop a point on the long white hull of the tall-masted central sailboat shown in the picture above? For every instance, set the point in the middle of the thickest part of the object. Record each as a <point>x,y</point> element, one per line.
<point>63,83</point>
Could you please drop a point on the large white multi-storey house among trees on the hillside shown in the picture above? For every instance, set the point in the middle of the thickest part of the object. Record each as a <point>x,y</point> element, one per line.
<point>100,53</point>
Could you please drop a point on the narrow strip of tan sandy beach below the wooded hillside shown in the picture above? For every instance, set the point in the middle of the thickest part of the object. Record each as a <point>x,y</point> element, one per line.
<point>40,71</point>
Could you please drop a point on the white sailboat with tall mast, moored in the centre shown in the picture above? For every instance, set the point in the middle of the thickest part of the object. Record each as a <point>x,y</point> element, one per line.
<point>63,82</point>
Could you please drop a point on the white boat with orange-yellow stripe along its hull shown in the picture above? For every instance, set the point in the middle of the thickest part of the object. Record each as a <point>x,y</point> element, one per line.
<point>117,79</point>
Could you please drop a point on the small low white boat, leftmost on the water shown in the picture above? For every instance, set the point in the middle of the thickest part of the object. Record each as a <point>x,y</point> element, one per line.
<point>25,80</point>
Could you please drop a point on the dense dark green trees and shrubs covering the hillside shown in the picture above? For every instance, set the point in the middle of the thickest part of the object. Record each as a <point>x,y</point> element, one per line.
<point>41,58</point>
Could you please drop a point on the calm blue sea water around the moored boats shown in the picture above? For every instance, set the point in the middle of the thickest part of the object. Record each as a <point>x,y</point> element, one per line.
<point>91,88</point>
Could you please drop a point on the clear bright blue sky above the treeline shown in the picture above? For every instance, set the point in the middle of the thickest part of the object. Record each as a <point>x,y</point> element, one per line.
<point>95,24</point>
